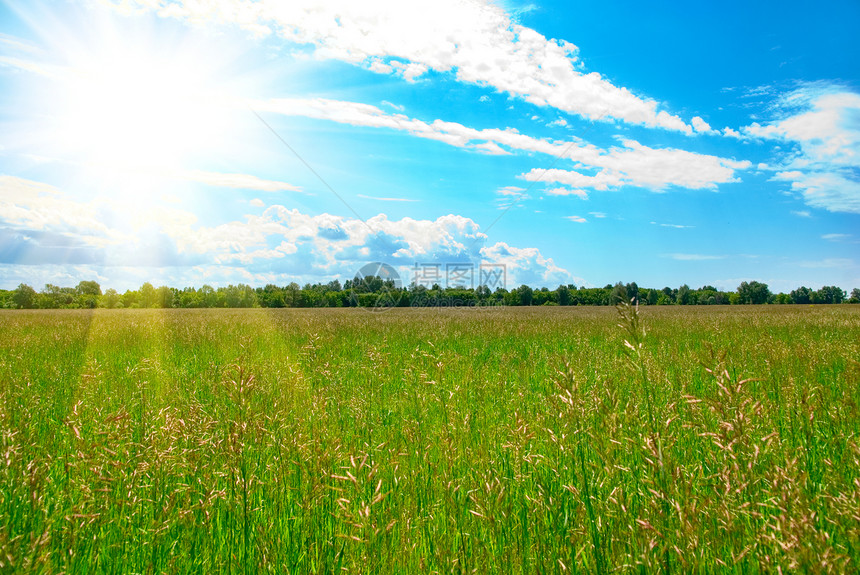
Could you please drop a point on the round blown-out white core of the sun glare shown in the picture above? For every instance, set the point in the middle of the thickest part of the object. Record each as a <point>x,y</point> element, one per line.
<point>136,107</point>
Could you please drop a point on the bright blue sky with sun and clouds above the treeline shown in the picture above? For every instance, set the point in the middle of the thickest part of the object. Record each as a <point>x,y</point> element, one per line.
<point>183,142</point>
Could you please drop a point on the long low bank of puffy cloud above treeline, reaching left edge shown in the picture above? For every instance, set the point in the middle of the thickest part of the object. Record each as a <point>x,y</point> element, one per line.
<point>278,242</point>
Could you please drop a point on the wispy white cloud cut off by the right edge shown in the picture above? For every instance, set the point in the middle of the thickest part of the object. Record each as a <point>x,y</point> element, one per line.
<point>823,123</point>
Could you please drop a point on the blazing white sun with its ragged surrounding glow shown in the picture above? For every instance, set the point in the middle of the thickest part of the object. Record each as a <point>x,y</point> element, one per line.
<point>125,94</point>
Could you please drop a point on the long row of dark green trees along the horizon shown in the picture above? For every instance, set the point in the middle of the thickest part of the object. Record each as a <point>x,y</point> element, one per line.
<point>373,291</point>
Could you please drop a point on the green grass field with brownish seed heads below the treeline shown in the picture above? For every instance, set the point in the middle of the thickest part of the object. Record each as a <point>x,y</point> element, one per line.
<point>430,441</point>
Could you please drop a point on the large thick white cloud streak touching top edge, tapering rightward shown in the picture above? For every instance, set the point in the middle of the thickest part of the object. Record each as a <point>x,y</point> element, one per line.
<point>476,41</point>
